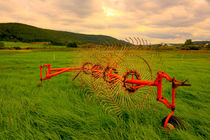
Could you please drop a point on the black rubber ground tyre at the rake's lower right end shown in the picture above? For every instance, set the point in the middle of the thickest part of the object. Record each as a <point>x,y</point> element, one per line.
<point>173,122</point>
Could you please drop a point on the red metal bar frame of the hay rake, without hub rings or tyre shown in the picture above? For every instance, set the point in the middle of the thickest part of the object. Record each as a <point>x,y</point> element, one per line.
<point>140,83</point>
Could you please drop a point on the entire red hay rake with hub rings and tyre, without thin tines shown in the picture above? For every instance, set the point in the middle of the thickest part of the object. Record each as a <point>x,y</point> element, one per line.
<point>130,85</point>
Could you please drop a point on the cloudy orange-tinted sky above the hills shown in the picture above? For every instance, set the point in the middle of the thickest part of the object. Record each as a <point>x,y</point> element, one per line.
<point>158,21</point>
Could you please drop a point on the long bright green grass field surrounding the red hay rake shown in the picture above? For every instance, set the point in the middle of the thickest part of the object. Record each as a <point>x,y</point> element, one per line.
<point>58,109</point>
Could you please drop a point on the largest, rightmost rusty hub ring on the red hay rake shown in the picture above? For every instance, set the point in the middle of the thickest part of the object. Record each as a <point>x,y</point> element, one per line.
<point>134,75</point>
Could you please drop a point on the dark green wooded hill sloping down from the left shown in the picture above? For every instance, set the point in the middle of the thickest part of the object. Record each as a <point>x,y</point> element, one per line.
<point>27,33</point>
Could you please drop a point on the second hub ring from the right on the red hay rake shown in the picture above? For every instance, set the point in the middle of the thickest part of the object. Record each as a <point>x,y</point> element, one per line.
<point>109,70</point>
